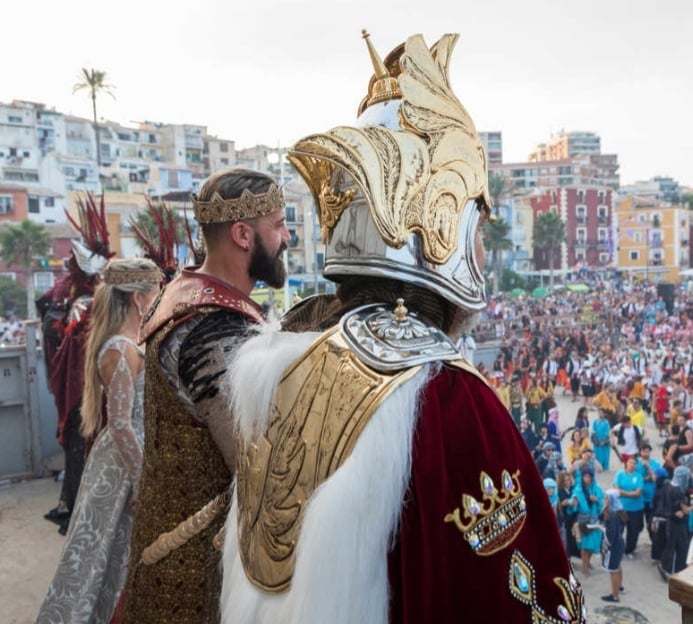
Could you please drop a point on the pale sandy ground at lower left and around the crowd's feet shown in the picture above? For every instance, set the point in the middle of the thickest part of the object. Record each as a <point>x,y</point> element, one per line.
<point>29,547</point>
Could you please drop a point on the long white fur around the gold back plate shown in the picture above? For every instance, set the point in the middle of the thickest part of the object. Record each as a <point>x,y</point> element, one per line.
<point>341,572</point>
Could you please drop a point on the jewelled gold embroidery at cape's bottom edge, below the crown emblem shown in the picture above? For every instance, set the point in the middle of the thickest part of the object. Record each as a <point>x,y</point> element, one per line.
<point>521,579</point>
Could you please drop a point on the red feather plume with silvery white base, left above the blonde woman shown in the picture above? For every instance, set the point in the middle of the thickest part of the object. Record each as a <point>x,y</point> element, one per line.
<point>91,255</point>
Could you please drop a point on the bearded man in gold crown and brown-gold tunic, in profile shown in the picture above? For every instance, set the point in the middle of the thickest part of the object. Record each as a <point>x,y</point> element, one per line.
<point>200,317</point>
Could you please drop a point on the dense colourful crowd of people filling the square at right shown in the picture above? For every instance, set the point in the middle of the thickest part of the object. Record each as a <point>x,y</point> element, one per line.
<point>624,357</point>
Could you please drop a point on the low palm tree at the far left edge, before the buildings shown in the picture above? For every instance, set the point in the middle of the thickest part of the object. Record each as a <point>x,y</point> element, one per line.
<point>20,243</point>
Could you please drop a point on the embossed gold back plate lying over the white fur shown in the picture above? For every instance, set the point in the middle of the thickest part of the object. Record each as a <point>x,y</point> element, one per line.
<point>321,407</point>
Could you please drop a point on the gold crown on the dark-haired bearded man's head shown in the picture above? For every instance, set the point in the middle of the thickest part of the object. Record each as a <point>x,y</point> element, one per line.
<point>247,206</point>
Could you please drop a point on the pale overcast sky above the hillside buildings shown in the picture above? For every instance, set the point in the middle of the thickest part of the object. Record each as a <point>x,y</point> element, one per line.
<point>270,72</point>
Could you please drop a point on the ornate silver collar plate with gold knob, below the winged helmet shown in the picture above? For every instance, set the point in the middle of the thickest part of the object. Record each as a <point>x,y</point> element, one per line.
<point>391,340</point>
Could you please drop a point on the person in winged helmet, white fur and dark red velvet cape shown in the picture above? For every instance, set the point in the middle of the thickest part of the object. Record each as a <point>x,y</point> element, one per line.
<point>361,491</point>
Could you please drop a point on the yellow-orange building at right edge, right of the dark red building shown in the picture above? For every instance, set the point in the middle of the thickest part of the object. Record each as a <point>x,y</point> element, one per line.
<point>652,239</point>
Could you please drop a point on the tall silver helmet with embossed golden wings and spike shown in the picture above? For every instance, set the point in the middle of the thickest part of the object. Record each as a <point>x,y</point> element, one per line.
<point>402,193</point>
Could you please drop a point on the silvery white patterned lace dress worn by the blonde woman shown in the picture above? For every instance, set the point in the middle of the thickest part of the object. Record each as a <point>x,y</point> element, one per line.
<point>93,564</point>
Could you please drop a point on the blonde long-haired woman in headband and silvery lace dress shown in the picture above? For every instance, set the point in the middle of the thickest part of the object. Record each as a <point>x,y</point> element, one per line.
<point>93,564</point>
